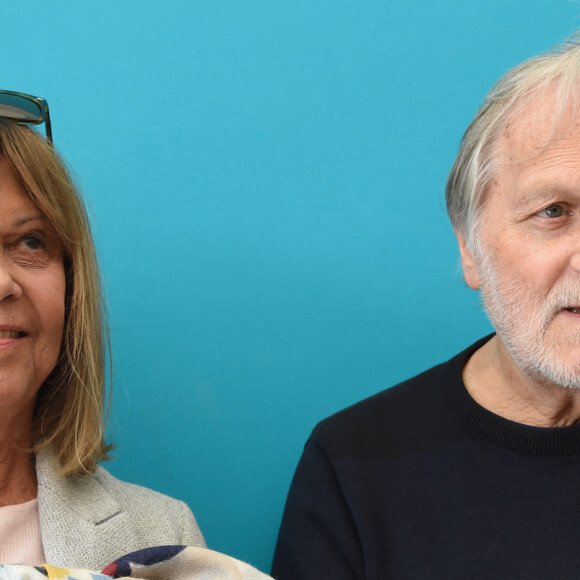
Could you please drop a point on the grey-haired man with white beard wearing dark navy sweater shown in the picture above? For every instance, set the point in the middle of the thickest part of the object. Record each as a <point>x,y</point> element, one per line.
<point>472,469</point>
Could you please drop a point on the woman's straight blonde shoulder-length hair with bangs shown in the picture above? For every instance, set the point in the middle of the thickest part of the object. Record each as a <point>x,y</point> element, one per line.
<point>69,415</point>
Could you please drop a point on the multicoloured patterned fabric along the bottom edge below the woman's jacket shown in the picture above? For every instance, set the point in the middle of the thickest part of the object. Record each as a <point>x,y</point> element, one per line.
<point>158,563</point>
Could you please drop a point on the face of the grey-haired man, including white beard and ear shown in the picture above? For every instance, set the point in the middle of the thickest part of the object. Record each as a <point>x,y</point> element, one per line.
<point>527,264</point>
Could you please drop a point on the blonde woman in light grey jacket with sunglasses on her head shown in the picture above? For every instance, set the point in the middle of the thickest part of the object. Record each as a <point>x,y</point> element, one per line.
<point>56,504</point>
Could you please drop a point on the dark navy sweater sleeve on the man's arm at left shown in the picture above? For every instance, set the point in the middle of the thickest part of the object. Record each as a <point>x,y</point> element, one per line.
<point>318,537</point>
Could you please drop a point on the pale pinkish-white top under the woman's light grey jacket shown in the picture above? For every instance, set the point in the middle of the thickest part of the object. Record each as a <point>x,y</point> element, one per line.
<point>20,540</point>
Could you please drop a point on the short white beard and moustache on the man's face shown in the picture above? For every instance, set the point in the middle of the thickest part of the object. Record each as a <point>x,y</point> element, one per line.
<point>522,317</point>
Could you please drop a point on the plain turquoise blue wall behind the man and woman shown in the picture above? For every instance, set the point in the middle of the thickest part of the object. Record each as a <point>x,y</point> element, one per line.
<point>266,185</point>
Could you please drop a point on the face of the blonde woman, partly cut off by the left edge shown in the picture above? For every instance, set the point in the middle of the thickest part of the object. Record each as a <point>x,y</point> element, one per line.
<point>32,291</point>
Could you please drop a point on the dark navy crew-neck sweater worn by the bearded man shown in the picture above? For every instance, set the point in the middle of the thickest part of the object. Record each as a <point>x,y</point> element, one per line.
<point>420,481</point>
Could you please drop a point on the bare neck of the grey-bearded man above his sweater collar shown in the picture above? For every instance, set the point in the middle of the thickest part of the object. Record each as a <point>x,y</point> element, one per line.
<point>495,382</point>
